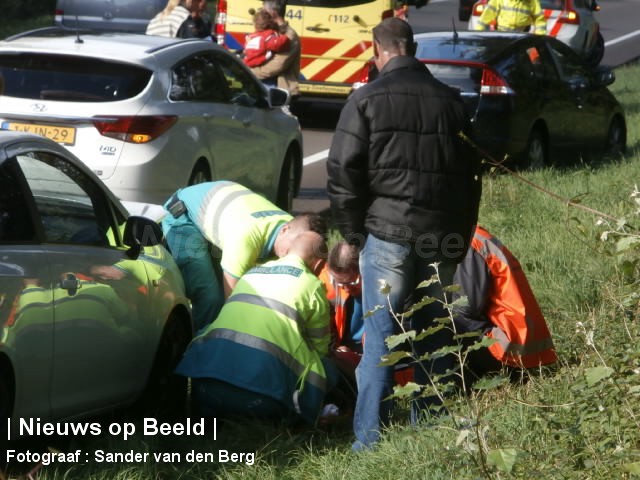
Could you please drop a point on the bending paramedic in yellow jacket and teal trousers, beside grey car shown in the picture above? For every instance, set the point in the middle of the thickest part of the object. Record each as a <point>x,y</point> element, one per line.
<point>246,227</point>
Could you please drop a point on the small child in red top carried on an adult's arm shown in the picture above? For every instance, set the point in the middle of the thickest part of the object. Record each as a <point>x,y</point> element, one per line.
<point>264,42</point>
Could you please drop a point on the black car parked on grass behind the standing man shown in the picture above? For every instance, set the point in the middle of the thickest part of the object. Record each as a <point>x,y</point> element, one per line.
<point>530,97</point>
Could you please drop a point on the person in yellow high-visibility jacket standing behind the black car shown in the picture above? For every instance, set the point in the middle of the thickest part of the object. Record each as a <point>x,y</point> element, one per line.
<point>513,16</point>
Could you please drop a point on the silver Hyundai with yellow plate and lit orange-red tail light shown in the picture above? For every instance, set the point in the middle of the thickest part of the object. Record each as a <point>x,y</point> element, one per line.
<point>151,114</point>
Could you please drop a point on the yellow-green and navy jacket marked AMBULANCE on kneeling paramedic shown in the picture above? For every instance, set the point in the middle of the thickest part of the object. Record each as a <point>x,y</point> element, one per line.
<point>270,337</point>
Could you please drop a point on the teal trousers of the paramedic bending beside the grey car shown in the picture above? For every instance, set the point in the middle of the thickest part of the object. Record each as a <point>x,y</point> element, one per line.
<point>190,250</point>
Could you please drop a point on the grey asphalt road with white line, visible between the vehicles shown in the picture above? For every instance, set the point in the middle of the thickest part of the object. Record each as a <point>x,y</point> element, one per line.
<point>618,24</point>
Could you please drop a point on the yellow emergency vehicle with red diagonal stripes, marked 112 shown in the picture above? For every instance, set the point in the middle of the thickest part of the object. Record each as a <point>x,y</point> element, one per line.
<point>335,37</point>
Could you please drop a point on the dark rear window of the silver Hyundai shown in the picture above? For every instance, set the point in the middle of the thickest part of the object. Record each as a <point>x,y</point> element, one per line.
<point>70,78</point>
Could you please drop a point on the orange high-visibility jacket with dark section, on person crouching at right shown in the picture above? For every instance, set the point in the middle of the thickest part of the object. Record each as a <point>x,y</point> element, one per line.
<point>502,304</point>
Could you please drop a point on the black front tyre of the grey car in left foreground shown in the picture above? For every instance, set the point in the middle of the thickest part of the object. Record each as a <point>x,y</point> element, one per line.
<point>166,393</point>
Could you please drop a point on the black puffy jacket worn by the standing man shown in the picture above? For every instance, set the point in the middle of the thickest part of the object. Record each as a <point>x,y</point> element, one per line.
<point>397,167</point>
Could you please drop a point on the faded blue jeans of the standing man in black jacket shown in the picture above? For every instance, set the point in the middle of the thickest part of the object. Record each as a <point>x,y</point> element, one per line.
<point>402,268</point>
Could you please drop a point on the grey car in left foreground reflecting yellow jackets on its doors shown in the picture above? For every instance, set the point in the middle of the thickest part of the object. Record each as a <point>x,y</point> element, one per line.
<point>92,307</point>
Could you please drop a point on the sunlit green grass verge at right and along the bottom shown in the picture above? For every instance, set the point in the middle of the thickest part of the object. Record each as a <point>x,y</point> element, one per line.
<point>581,421</point>
